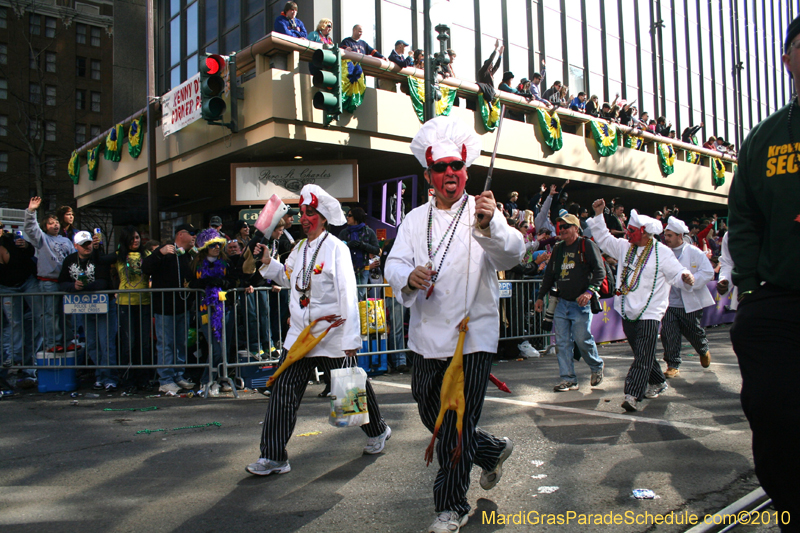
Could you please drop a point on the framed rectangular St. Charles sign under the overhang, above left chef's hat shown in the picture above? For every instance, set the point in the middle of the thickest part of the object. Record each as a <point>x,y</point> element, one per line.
<point>255,183</point>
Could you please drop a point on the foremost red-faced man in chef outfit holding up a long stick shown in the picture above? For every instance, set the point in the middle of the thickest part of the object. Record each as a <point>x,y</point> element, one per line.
<point>442,266</point>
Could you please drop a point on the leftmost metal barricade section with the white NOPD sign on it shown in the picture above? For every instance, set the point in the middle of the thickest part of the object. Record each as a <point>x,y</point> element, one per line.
<point>100,330</point>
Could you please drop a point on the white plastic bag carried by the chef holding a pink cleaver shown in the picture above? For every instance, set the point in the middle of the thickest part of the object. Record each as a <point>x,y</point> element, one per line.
<point>348,397</point>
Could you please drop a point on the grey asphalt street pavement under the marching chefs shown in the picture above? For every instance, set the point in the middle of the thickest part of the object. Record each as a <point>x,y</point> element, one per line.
<point>82,468</point>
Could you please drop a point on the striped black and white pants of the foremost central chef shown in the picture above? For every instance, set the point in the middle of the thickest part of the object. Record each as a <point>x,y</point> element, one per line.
<point>478,446</point>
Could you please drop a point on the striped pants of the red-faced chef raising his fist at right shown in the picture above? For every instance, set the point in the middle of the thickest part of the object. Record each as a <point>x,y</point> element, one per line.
<point>642,336</point>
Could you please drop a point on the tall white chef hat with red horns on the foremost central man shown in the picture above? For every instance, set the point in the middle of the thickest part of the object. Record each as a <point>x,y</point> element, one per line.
<point>445,137</point>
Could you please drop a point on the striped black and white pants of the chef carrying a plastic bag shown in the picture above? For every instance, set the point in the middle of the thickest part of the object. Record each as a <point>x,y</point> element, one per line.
<point>288,390</point>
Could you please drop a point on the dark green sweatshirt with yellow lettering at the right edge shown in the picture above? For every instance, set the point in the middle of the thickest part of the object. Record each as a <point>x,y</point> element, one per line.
<point>764,206</point>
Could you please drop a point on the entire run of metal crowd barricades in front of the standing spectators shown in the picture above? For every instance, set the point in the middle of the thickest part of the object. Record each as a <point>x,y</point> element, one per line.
<point>29,321</point>
